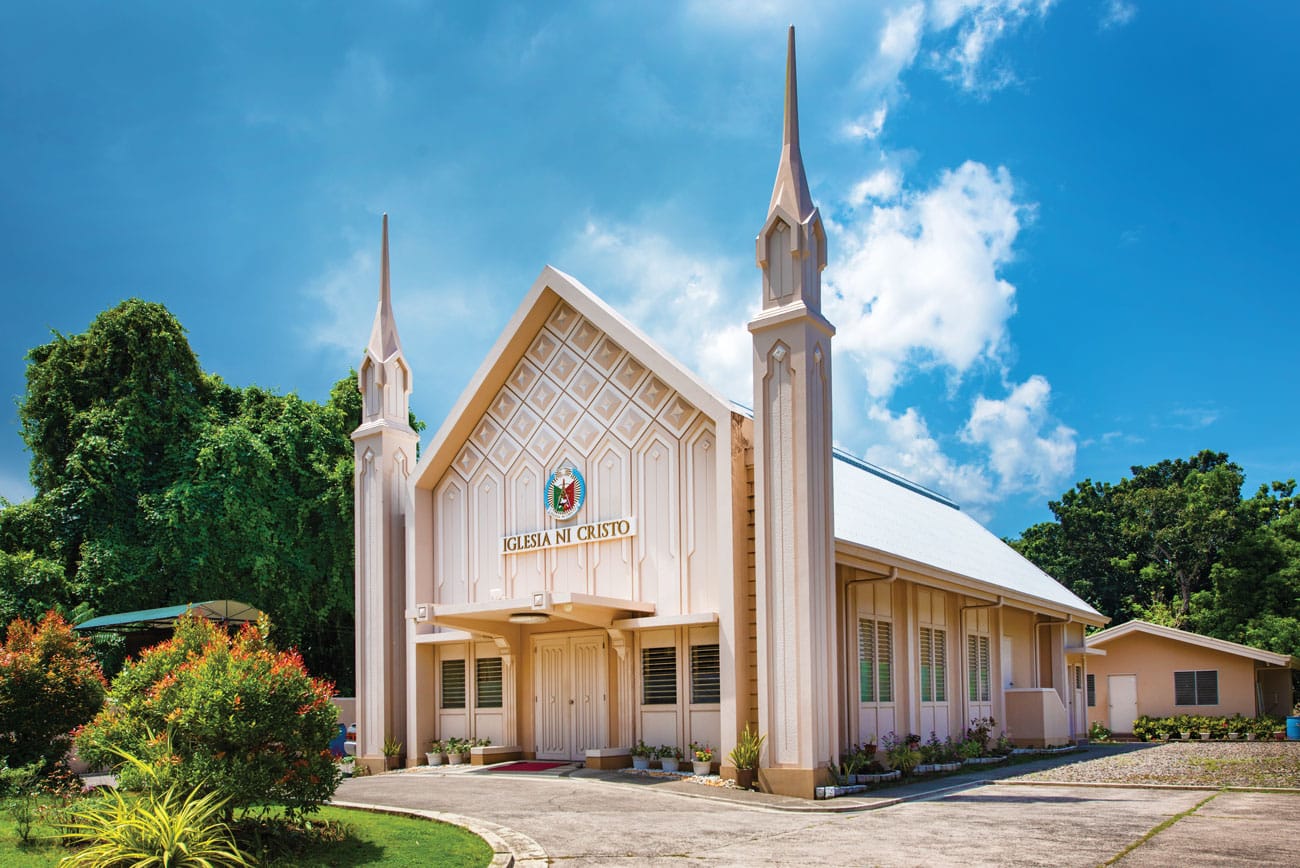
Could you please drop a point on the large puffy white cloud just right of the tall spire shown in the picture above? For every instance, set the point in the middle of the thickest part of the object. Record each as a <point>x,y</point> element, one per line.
<point>917,284</point>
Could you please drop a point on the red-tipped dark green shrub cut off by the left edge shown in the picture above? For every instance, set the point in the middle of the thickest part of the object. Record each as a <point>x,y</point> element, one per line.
<point>50,684</point>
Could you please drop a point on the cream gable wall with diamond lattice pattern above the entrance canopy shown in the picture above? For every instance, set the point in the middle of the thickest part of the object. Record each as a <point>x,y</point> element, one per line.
<point>579,398</point>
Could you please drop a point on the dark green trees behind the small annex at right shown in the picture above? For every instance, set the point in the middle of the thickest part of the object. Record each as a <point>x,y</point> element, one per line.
<point>1177,544</point>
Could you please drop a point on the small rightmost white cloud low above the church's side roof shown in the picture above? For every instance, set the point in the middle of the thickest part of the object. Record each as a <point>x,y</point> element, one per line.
<point>1028,449</point>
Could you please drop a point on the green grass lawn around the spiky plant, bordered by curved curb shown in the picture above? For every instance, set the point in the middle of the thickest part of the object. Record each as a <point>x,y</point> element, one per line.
<point>374,840</point>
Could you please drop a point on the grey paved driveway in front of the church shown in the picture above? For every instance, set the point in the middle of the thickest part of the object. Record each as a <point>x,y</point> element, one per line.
<point>595,819</point>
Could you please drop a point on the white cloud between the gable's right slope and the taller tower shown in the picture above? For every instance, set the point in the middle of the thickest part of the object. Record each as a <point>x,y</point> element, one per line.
<point>694,305</point>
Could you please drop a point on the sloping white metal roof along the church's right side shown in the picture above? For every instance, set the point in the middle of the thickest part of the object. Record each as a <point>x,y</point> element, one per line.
<point>881,511</point>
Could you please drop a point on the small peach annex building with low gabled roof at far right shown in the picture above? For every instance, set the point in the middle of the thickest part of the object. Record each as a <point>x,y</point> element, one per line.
<point>1160,671</point>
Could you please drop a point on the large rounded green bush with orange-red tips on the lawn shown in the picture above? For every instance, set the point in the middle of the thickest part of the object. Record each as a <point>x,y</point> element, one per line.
<point>222,714</point>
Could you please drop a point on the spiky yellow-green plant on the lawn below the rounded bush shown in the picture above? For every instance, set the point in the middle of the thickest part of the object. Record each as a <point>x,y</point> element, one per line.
<point>155,830</point>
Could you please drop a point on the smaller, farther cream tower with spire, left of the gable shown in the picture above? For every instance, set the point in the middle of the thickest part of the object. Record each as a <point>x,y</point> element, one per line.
<point>385,453</point>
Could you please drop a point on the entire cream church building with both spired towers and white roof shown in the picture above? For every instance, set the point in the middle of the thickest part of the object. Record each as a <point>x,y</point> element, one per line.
<point>597,549</point>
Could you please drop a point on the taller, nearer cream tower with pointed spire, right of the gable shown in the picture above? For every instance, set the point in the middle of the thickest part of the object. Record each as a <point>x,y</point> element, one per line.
<point>795,527</point>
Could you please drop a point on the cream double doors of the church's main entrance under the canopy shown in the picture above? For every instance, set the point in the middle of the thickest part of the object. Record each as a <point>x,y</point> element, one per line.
<point>570,696</point>
